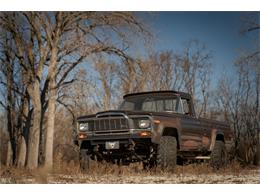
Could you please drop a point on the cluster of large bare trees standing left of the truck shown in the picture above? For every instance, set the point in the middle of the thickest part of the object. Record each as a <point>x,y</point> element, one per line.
<point>39,50</point>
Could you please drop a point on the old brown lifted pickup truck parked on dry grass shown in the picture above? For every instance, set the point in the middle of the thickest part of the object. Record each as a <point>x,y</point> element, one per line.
<point>158,128</point>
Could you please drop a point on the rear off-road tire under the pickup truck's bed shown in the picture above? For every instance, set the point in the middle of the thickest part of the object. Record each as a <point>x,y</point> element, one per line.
<point>218,157</point>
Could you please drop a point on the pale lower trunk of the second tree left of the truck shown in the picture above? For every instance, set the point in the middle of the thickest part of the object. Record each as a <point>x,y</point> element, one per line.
<point>34,134</point>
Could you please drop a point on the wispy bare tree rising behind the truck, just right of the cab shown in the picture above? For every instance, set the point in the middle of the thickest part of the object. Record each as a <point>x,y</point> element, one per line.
<point>195,62</point>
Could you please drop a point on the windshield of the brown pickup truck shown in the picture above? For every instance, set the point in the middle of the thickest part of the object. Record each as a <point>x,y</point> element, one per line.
<point>153,104</point>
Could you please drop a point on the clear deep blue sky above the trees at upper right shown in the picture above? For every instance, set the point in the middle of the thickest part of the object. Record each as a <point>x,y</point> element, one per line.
<point>219,31</point>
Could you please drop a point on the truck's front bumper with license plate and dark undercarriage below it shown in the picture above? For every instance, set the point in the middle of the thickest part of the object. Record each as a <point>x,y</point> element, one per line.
<point>132,146</point>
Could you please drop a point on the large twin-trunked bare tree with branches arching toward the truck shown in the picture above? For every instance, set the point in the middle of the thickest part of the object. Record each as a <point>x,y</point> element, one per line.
<point>56,43</point>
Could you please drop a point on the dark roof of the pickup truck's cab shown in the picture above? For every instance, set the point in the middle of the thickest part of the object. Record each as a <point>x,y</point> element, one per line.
<point>182,94</point>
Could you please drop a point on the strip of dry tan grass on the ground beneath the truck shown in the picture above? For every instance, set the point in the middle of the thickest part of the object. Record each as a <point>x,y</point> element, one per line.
<point>106,173</point>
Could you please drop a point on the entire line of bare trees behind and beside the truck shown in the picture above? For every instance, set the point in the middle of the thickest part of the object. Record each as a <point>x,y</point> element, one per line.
<point>55,66</point>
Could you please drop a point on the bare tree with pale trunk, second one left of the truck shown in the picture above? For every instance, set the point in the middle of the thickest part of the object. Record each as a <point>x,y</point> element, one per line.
<point>31,54</point>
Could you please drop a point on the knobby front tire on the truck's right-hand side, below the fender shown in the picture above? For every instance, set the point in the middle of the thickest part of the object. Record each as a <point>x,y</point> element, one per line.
<point>167,153</point>
